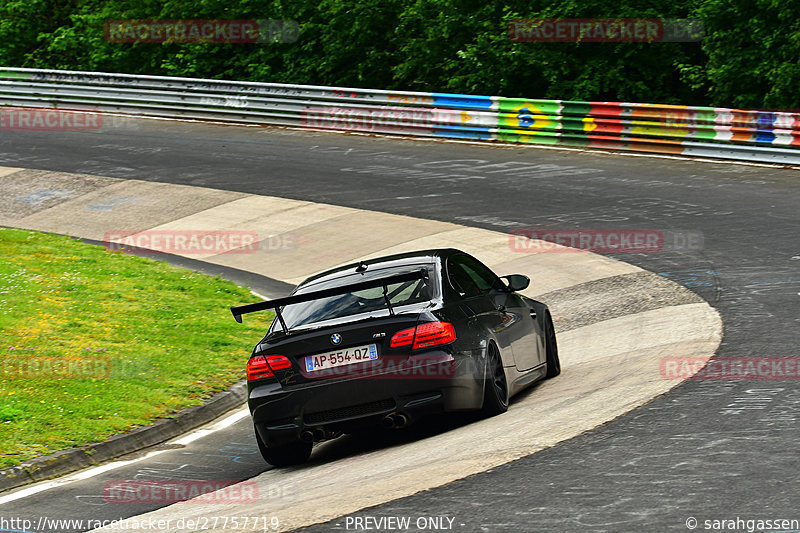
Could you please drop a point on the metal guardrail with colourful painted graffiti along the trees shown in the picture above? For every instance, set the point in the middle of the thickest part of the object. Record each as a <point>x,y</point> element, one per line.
<point>749,135</point>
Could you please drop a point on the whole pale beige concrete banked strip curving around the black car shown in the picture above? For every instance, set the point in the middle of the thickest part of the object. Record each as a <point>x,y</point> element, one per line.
<point>610,366</point>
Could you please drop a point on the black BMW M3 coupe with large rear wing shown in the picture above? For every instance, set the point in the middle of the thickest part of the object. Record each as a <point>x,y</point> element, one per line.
<point>386,341</point>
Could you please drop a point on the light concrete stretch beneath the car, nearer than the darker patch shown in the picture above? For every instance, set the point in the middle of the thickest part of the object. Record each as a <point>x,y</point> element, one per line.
<point>608,368</point>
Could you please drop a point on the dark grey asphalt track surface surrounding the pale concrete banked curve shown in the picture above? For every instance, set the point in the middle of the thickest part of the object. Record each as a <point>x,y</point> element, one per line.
<point>709,450</point>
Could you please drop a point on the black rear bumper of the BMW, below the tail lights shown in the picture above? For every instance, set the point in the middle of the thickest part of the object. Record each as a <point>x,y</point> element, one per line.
<point>281,414</point>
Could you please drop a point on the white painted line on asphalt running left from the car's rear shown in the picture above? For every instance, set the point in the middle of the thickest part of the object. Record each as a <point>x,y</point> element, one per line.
<point>97,470</point>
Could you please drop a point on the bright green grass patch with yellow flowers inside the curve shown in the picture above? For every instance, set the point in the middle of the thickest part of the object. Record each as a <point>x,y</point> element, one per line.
<point>95,343</point>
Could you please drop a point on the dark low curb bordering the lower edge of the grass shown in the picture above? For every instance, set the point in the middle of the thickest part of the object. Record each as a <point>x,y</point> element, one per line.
<point>66,461</point>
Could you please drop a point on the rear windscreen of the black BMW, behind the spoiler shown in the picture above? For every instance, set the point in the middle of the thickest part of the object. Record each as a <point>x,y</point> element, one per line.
<point>367,301</point>
